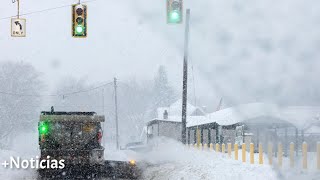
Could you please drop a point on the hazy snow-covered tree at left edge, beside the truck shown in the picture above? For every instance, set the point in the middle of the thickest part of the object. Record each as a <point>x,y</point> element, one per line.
<point>20,87</point>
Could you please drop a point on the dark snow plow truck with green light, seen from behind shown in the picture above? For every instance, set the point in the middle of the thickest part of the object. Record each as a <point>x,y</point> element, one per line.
<point>74,140</point>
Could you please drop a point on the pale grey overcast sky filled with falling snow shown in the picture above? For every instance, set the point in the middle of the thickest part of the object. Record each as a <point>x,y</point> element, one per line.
<point>244,51</point>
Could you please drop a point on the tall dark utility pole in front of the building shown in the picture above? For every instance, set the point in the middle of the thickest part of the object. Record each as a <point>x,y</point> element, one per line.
<point>185,80</point>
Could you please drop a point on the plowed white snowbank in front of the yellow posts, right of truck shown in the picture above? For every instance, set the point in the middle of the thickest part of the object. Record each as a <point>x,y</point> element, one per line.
<point>171,160</point>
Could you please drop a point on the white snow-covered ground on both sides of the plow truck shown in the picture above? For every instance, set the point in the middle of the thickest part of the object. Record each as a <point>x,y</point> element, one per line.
<point>169,160</point>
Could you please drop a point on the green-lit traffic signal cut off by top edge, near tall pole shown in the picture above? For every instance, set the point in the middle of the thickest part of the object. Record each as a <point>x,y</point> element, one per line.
<point>174,11</point>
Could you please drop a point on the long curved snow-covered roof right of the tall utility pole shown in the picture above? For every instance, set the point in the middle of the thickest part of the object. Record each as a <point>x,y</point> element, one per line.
<point>299,116</point>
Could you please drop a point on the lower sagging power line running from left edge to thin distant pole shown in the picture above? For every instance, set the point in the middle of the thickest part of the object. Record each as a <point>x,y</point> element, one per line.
<point>53,95</point>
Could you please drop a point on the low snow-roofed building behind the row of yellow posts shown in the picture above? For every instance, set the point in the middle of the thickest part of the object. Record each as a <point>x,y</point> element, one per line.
<point>250,123</point>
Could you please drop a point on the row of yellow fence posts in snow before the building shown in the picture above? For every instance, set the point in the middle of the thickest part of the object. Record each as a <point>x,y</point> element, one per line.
<point>260,158</point>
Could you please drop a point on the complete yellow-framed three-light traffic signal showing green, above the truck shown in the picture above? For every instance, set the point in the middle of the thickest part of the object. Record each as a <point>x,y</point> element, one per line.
<point>79,20</point>
